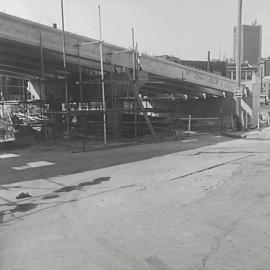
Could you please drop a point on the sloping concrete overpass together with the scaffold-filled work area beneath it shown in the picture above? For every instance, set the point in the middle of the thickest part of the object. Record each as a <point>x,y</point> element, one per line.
<point>59,87</point>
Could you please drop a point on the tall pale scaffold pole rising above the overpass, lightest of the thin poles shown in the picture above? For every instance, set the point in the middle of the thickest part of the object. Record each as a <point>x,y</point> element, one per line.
<point>102,79</point>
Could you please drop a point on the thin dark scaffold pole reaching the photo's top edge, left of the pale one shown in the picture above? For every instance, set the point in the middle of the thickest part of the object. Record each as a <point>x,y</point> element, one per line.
<point>65,70</point>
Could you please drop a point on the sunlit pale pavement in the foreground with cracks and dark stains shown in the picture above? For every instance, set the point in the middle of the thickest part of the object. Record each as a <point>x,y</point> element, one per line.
<point>206,208</point>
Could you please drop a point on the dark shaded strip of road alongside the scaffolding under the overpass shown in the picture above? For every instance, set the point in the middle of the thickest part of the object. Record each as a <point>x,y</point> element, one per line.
<point>65,162</point>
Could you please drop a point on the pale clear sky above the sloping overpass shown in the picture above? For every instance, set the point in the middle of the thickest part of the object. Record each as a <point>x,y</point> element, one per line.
<point>184,28</point>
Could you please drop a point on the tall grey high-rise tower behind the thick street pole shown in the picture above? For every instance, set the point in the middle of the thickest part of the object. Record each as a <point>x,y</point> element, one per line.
<point>251,47</point>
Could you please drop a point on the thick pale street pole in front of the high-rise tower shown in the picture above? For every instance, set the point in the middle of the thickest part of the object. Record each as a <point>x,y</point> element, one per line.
<point>238,63</point>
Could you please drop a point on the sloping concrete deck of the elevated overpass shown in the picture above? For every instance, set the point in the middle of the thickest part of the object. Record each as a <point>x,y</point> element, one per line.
<point>20,42</point>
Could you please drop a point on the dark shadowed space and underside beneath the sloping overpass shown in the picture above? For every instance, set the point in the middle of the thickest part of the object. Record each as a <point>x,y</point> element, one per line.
<point>165,99</point>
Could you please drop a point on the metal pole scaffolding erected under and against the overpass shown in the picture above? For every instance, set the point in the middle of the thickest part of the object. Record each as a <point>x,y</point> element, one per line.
<point>114,107</point>
